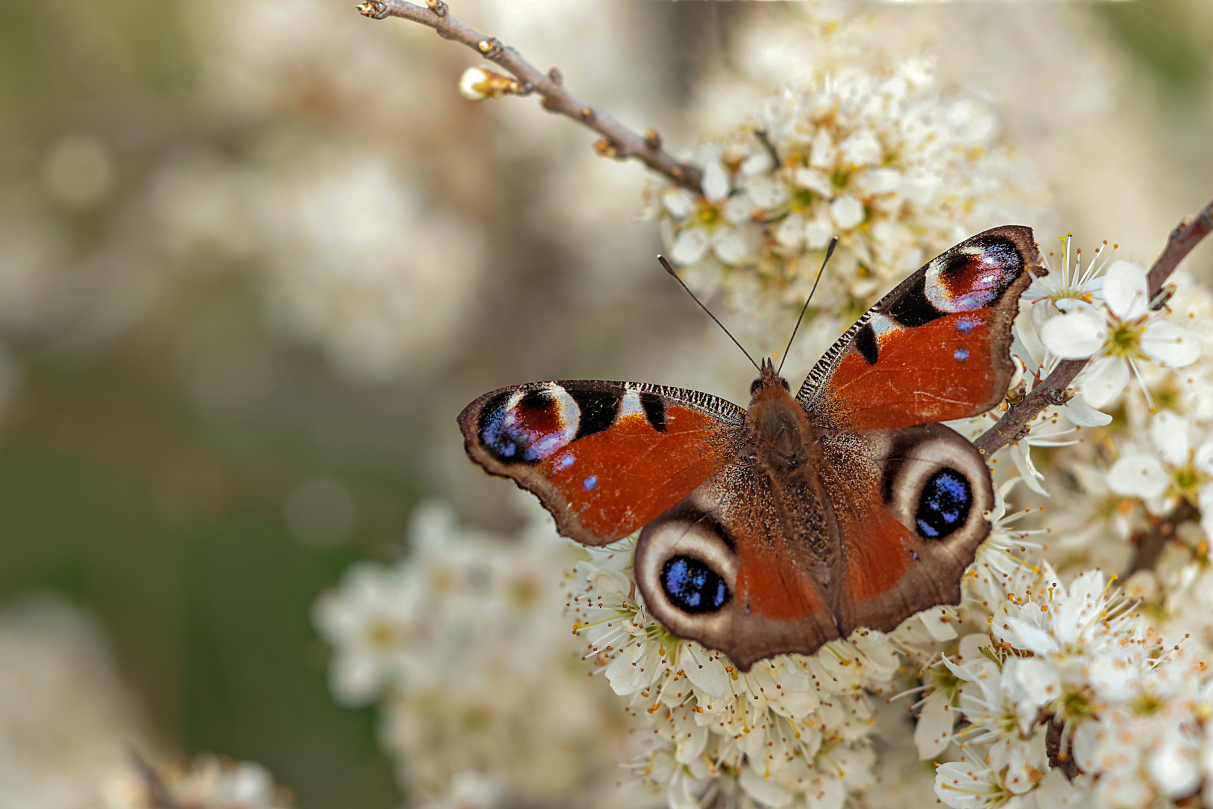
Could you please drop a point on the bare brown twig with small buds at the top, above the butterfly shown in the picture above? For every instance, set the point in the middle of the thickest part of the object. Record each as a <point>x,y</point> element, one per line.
<point>618,141</point>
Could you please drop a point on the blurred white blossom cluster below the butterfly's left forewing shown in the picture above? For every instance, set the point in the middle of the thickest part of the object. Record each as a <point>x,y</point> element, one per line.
<point>464,647</point>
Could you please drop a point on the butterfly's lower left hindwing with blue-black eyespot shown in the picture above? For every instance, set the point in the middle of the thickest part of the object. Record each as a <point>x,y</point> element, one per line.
<point>719,568</point>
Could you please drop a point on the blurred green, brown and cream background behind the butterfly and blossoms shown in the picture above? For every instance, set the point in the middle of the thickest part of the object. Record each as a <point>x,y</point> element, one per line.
<point>257,257</point>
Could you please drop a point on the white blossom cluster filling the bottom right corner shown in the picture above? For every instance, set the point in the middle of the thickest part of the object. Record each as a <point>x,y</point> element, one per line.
<point>1072,697</point>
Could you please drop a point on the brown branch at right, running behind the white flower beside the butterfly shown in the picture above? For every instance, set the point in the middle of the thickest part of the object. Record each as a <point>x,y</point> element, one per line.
<point>1052,391</point>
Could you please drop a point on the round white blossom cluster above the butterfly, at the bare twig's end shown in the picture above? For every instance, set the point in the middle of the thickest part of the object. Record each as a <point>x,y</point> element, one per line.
<point>893,169</point>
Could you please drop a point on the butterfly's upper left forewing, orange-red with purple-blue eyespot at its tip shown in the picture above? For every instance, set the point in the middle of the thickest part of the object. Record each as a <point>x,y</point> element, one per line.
<point>605,458</point>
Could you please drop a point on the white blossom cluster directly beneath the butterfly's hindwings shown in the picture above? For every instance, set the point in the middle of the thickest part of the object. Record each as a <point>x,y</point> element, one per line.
<point>791,730</point>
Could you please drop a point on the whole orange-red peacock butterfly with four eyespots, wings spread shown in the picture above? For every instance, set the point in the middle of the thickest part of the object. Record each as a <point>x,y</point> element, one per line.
<point>781,527</point>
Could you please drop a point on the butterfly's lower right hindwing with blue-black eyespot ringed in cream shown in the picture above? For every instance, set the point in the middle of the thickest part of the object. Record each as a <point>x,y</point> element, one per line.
<point>909,512</point>
